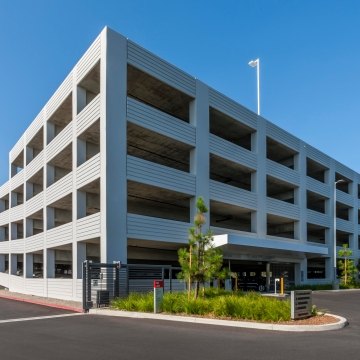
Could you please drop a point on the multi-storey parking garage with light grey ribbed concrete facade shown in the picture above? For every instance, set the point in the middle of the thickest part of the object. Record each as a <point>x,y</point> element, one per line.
<point>111,167</point>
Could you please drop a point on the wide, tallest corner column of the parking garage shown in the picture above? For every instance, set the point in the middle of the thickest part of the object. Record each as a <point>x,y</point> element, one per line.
<point>113,147</point>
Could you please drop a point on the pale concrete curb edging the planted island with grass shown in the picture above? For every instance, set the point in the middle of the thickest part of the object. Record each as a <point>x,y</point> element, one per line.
<point>232,323</point>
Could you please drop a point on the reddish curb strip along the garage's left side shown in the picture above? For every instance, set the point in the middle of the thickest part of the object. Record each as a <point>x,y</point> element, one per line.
<point>39,300</point>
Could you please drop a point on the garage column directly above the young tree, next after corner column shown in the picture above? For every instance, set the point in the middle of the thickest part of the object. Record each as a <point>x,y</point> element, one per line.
<point>199,157</point>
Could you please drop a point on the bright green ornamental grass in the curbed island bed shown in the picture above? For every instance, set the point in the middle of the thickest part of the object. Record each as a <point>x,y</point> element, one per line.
<point>216,303</point>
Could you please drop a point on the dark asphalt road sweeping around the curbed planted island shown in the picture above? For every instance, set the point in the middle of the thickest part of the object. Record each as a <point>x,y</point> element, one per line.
<point>97,337</point>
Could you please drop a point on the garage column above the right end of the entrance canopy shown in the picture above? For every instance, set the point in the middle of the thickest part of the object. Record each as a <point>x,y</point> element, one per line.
<point>300,196</point>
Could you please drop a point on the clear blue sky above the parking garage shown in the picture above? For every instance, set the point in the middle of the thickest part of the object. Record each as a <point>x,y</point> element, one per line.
<point>309,51</point>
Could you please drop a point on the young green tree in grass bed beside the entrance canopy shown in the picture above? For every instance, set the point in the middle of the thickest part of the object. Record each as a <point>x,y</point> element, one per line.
<point>200,261</point>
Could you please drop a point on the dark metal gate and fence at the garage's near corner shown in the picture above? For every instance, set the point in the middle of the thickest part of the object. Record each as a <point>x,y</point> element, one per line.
<point>104,282</point>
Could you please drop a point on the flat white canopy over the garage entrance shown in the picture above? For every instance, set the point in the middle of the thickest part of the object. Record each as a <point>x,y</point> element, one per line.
<point>241,247</point>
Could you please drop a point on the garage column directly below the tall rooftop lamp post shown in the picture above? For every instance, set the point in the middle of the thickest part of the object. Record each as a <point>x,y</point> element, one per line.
<point>258,218</point>
